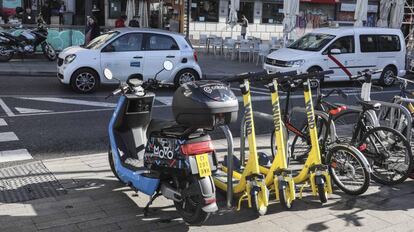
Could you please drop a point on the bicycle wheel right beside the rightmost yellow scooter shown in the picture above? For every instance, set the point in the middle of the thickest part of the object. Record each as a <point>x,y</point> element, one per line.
<point>349,169</point>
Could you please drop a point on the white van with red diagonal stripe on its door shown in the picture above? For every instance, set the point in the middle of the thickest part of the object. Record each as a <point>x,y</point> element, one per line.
<point>345,50</point>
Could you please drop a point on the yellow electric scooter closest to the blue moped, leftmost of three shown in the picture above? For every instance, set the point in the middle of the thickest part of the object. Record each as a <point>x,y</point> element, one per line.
<point>248,182</point>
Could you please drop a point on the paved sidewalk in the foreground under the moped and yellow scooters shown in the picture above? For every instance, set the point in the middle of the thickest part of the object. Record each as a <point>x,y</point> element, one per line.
<point>84,196</point>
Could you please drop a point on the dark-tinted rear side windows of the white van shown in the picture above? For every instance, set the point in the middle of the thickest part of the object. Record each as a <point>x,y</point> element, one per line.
<point>380,43</point>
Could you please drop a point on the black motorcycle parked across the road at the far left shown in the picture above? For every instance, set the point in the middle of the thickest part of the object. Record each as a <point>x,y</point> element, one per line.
<point>26,43</point>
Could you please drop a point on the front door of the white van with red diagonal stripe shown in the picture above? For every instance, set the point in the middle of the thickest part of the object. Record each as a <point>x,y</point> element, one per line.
<point>344,63</point>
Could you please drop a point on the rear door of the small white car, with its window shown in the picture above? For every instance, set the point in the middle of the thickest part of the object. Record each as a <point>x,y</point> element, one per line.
<point>159,48</point>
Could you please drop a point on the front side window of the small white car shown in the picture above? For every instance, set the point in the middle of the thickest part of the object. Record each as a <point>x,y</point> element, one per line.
<point>126,43</point>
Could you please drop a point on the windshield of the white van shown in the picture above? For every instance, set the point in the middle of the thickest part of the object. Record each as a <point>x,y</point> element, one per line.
<point>312,42</point>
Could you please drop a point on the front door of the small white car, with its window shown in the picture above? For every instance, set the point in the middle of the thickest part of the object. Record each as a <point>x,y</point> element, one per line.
<point>124,56</point>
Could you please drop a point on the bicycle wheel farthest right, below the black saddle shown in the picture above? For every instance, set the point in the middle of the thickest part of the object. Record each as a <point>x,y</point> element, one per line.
<point>389,154</point>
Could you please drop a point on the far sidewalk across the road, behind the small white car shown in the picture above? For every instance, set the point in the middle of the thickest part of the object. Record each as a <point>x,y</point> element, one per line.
<point>213,67</point>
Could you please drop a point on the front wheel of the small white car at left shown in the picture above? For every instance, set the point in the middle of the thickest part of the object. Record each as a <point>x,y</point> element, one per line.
<point>84,80</point>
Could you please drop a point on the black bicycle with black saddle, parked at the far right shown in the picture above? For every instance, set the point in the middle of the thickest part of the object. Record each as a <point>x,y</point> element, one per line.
<point>387,150</point>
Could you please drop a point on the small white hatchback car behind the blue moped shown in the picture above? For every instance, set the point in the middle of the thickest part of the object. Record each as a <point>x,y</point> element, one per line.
<point>127,51</point>
